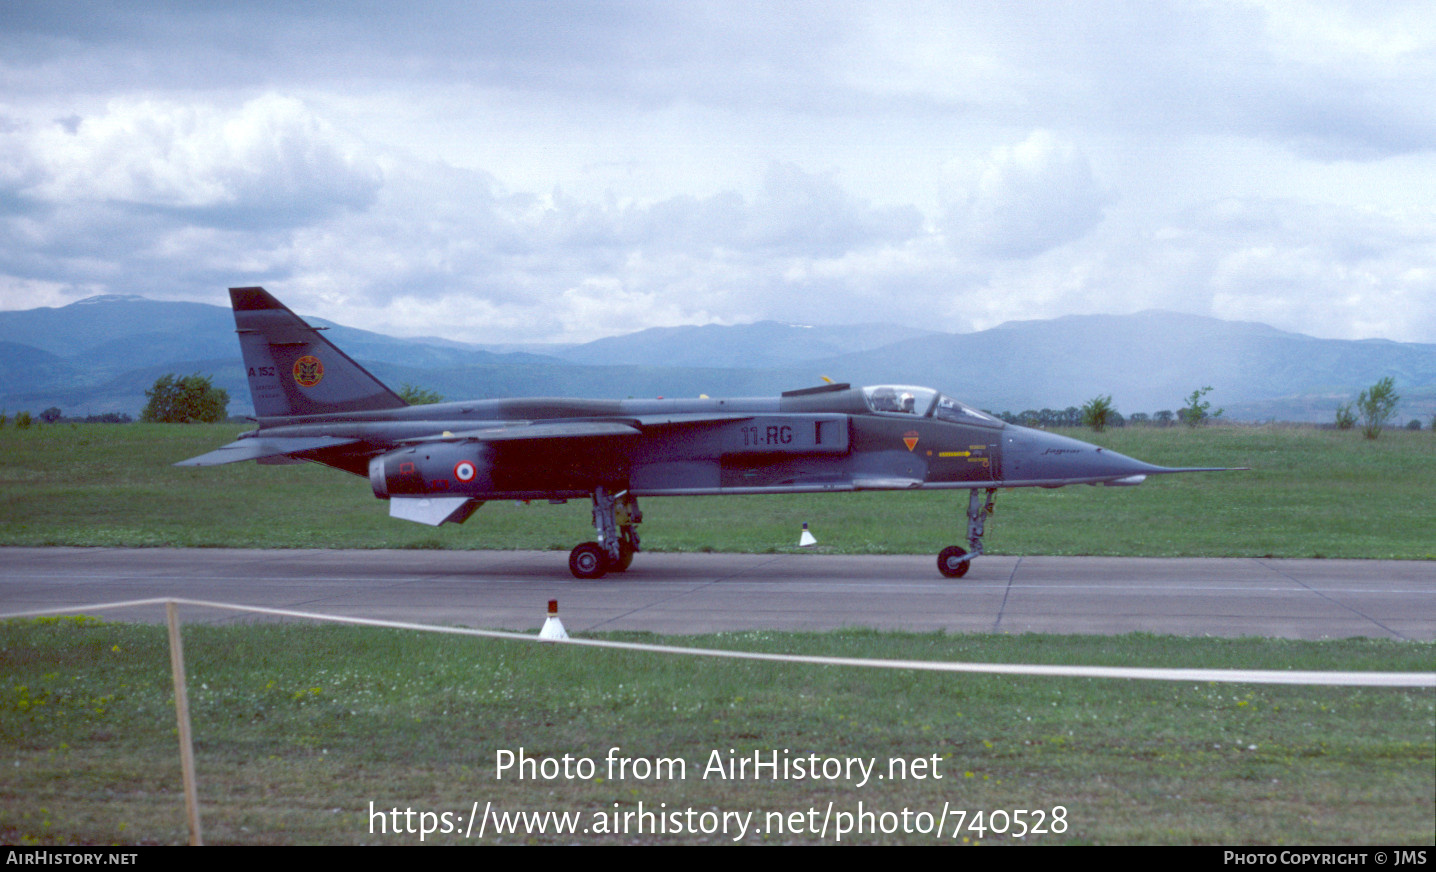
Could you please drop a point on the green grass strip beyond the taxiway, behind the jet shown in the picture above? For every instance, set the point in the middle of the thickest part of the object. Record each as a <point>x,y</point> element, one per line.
<point>1310,495</point>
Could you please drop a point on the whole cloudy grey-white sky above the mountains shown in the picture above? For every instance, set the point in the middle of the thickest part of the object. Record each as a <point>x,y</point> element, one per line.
<point>565,172</point>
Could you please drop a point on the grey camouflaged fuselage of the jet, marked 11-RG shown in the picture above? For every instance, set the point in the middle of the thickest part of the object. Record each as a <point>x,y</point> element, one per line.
<point>821,440</point>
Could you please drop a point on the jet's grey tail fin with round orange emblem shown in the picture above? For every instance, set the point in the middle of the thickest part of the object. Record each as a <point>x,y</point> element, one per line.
<point>294,370</point>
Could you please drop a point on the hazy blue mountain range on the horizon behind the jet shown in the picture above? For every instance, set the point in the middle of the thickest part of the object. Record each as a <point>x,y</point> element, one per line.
<point>101,354</point>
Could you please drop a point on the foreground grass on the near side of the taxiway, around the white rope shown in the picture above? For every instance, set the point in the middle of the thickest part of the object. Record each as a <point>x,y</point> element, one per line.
<point>298,729</point>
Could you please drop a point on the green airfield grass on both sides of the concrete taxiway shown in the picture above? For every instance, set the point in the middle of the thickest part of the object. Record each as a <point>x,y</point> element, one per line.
<point>299,729</point>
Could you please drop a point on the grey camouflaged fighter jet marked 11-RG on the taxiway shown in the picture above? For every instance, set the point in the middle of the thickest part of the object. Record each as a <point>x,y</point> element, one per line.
<point>437,465</point>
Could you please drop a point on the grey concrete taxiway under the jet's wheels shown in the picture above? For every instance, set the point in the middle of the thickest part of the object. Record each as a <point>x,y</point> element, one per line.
<point>690,594</point>
